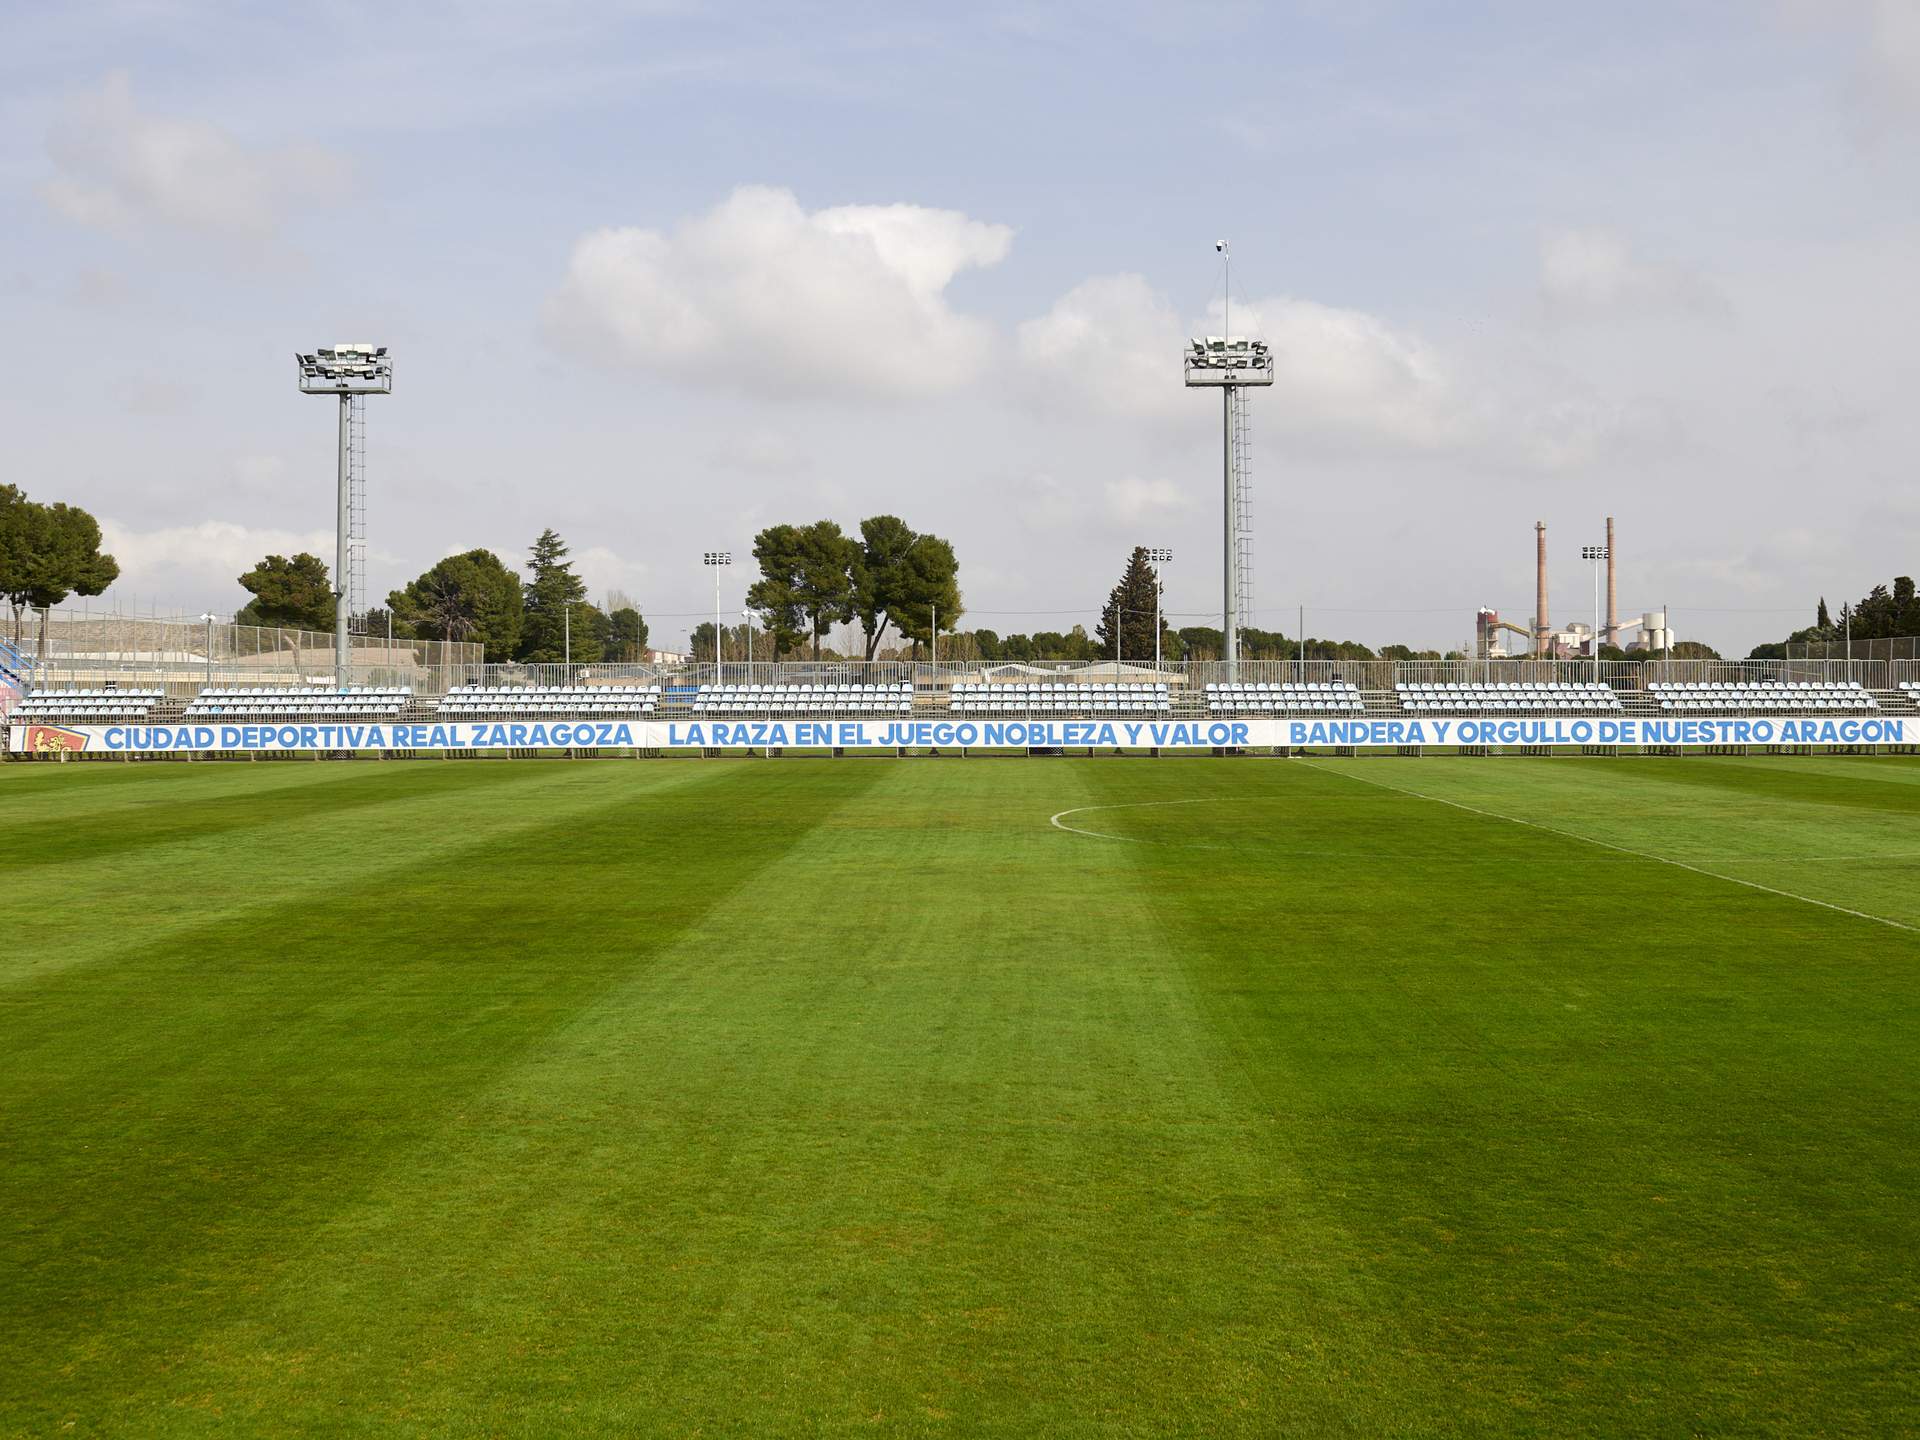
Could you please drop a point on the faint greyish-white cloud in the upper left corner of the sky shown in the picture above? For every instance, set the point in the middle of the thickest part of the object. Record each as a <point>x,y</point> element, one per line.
<point>120,168</point>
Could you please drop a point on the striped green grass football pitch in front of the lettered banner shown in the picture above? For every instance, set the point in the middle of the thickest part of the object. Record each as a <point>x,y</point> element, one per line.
<point>786,1097</point>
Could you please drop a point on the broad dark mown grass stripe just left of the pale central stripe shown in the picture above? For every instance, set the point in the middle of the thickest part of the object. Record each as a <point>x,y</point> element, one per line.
<point>231,1088</point>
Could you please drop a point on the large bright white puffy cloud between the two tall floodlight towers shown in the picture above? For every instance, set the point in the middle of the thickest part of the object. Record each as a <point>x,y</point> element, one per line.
<point>767,293</point>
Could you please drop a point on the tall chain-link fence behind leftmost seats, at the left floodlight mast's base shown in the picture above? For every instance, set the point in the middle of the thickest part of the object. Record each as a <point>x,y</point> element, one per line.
<point>183,654</point>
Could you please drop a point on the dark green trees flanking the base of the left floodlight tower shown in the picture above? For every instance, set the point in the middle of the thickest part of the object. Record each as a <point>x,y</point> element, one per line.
<point>471,598</point>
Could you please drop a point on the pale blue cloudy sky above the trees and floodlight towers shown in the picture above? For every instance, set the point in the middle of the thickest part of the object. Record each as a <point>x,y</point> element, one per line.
<point>660,276</point>
